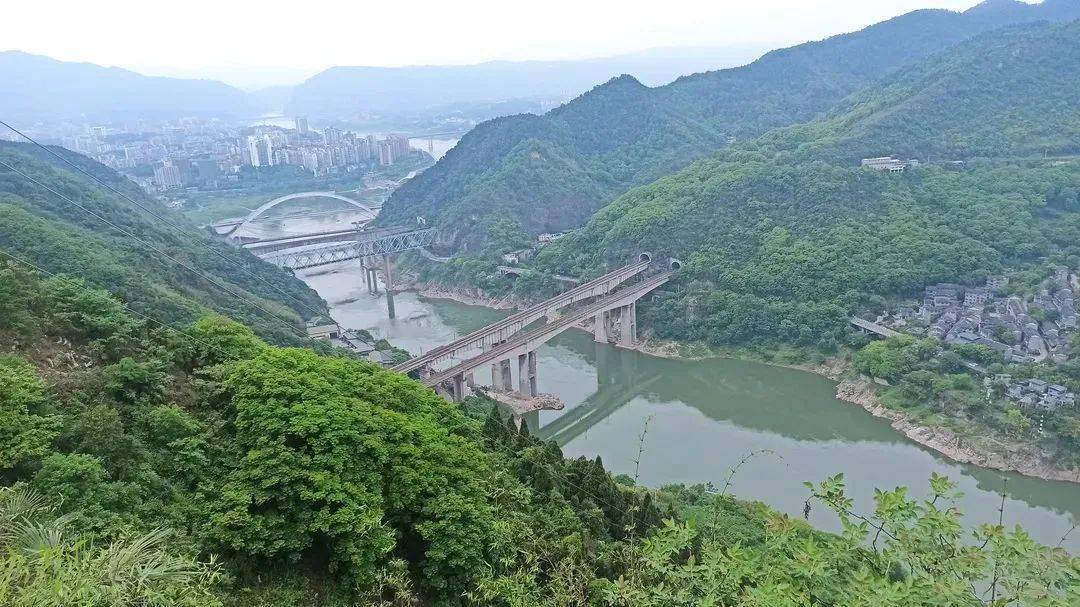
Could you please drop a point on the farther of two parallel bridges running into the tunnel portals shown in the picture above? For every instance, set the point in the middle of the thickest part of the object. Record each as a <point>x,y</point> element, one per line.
<point>499,332</point>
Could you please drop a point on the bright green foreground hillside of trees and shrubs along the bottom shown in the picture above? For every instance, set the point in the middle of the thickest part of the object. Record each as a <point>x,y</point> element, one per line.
<point>202,467</point>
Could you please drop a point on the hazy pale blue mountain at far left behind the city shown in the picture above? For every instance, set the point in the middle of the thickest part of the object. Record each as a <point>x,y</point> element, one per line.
<point>42,89</point>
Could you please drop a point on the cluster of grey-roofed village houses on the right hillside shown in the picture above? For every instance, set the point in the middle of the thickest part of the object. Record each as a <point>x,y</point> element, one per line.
<point>1022,331</point>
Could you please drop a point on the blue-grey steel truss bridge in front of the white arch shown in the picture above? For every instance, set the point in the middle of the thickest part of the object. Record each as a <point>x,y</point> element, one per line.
<point>371,245</point>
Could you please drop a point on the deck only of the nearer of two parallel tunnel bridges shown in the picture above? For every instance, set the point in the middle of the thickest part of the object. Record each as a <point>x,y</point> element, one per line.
<point>543,334</point>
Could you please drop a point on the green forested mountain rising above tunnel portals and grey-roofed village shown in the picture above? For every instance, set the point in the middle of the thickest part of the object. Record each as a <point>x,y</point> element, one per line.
<point>782,238</point>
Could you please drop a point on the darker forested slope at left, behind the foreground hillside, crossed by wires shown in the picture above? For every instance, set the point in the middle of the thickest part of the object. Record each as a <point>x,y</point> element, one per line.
<point>117,246</point>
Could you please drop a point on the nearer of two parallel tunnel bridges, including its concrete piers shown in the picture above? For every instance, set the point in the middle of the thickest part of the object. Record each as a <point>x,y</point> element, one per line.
<point>454,381</point>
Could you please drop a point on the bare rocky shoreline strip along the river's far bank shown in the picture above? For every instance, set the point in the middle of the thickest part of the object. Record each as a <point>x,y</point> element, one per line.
<point>1010,458</point>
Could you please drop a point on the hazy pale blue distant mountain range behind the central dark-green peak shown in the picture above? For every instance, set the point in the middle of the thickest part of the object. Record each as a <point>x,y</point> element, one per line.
<point>348,92</point>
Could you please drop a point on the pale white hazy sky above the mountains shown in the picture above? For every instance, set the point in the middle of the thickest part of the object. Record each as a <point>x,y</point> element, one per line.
<point>196,34</point>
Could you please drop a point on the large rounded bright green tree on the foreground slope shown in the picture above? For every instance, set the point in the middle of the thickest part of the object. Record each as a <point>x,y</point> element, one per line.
<point>343,458</point>
